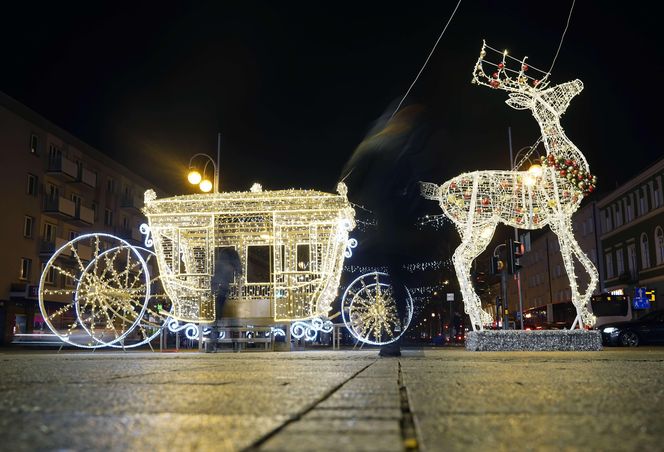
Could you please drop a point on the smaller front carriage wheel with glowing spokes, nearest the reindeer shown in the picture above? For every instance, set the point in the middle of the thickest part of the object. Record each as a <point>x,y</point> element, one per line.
<point>369,309</point>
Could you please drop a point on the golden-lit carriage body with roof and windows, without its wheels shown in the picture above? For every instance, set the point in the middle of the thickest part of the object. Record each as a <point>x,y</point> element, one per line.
<point>302,234</point>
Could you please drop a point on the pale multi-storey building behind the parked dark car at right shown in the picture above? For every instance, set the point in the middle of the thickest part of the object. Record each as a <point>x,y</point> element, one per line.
<point>632,235</point>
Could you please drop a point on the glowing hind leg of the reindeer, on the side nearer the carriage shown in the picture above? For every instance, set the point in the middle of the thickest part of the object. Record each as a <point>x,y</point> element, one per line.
<point>474,240</point>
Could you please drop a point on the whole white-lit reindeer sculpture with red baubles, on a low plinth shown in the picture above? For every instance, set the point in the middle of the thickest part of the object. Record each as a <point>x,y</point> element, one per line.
<point>476,202</point>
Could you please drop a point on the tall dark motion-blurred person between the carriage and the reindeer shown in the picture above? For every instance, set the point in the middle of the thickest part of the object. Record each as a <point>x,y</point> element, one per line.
<point>380,177</point>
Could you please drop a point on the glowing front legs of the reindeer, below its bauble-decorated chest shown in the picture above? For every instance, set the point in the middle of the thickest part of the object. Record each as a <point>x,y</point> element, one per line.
<point>569,248</point>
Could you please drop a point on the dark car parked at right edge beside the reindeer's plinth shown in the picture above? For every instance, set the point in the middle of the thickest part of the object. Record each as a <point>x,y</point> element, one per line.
<point>649,329</point>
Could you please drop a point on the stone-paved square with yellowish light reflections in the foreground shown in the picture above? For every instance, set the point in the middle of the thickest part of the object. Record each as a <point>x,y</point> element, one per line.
<point>439,399</point>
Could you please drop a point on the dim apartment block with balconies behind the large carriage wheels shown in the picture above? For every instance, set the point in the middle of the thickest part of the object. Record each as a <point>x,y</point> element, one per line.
<point>54,188</point>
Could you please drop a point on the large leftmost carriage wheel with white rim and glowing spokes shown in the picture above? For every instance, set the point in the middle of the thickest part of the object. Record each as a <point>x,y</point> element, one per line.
<point>107,289</point>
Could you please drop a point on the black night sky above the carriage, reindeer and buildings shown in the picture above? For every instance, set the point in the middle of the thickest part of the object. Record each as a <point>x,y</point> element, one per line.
<point>294,87</point>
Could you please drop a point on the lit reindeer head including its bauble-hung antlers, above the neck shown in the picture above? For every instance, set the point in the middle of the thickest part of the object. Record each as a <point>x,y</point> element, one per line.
<point>526,90</point>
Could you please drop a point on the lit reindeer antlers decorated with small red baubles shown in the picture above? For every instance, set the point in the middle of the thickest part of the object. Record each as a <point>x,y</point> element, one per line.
<point>504,77</point>
